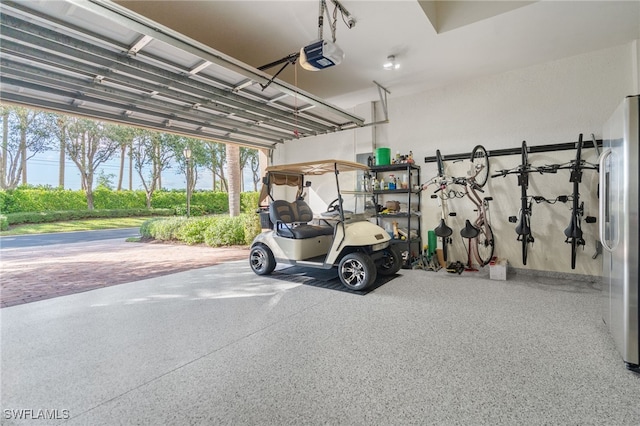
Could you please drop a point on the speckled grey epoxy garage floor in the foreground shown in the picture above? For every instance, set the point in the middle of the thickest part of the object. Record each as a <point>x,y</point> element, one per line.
<point>220,345</point>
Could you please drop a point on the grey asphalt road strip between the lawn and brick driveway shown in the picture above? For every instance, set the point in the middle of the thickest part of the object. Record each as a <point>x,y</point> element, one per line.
<point>23,241</point>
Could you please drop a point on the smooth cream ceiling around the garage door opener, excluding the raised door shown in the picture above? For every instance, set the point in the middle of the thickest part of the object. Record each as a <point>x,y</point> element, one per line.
<point>437,42</point>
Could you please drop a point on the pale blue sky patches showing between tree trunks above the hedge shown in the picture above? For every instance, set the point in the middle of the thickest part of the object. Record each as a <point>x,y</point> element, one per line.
<point>42,169</point>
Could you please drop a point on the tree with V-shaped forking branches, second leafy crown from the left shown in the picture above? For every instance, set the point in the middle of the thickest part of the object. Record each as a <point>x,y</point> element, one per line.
<point>89,144</point>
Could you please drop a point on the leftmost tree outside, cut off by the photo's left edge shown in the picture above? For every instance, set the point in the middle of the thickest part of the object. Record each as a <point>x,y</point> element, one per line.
<point>25,133</point>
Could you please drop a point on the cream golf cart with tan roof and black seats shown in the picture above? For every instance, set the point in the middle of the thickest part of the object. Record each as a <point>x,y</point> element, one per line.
<point>341,236</point>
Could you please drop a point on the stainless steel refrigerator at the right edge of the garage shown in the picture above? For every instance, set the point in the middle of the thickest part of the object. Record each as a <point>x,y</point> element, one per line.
<point>619,230</point>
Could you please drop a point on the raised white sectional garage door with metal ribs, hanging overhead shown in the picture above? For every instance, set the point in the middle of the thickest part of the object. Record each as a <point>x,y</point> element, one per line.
<point>97,59</point>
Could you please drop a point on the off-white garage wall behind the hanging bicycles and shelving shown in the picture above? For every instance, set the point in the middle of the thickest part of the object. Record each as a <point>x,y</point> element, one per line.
<point>549,103</point>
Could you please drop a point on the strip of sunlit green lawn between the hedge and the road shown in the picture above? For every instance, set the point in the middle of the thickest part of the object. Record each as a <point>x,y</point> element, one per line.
<point>76,225</point>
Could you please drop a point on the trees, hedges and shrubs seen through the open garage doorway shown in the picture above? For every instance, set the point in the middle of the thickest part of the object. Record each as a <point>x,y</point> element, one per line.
<point>223,215</point>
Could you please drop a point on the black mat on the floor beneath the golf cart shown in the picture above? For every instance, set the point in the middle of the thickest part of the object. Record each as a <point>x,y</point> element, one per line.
<point>324,278</point>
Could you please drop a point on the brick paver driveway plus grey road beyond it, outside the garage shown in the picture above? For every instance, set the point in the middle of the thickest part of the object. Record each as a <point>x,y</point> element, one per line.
<point>41,267</point>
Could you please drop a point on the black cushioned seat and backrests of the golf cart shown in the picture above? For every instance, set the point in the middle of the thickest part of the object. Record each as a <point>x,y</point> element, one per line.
<point>291,220</point>
